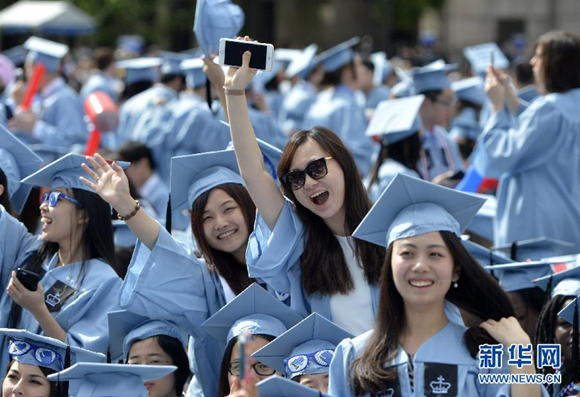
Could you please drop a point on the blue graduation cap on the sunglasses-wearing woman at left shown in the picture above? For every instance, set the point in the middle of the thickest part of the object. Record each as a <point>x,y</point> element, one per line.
<point>64,172</point>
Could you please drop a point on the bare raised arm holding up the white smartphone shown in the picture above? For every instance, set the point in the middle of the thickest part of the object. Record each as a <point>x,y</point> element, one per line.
<point>262,188</point>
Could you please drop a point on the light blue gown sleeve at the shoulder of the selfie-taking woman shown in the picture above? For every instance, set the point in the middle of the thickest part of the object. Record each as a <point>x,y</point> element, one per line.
<point>272,255</point>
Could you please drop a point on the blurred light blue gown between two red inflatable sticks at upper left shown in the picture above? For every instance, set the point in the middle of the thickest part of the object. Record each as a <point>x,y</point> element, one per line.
<point>62,121</point>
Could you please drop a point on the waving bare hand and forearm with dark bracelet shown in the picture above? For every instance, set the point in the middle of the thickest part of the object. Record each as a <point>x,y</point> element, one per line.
<point>110,182</point>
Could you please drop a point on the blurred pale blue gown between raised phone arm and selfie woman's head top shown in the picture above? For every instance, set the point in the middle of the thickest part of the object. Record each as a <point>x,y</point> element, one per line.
<point>295,106</point>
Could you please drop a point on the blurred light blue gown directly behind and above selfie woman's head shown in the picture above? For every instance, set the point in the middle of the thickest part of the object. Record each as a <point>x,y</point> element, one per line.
<point>339,110</point>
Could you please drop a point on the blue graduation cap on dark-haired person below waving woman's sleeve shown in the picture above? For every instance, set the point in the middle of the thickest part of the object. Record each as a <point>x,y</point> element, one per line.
<point>126,327</point>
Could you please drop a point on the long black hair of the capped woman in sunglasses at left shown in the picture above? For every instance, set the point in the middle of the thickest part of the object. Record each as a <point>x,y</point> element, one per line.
<point>96,242</point>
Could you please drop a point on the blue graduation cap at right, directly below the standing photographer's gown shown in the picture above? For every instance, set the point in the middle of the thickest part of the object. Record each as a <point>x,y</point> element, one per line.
<point>537,248</point>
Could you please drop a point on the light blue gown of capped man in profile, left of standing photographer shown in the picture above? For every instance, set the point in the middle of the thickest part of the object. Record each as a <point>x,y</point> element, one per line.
<point>443,153</point>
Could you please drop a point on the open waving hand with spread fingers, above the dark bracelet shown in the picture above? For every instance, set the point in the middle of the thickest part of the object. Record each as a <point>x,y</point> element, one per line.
<point>110,182</point>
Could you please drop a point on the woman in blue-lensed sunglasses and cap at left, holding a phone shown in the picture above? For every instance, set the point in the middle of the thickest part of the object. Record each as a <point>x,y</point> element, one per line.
<point>74,257</point>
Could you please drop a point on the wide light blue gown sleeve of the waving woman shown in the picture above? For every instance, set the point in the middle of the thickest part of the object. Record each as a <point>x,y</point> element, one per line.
<point>165,283</point>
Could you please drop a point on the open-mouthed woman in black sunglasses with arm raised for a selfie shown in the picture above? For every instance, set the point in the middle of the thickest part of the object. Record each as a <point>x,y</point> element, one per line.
<point>302,246</point>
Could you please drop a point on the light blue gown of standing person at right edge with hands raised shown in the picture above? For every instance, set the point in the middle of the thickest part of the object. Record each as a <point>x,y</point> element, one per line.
<point>539,163</point>
